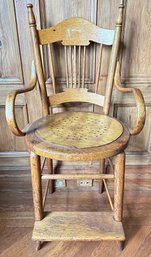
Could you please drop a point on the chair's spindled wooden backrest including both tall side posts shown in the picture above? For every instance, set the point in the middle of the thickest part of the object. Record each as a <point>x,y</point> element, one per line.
<point>75,35</point>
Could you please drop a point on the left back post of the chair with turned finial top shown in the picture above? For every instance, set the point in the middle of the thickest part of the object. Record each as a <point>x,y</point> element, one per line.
<point>38,61</point>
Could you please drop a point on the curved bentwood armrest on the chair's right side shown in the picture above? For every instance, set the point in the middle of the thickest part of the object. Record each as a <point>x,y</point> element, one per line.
<point>141,110</point>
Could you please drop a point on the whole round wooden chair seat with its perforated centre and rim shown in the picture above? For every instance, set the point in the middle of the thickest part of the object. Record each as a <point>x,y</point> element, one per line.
<point>77,136</point>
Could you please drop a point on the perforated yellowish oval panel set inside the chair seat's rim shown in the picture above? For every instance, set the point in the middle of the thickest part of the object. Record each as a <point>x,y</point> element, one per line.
<point>58,130</point>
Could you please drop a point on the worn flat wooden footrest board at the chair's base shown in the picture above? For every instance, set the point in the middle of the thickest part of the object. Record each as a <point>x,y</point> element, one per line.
<point>82,226</point>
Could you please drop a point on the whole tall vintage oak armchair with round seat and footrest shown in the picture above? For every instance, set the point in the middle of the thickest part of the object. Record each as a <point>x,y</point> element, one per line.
<point>76,136</point>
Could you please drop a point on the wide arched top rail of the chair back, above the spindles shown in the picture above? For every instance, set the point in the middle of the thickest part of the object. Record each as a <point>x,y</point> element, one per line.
<point>77,32</point>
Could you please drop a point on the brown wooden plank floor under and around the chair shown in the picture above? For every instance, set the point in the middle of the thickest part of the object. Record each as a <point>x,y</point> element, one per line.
<point>17,219</point>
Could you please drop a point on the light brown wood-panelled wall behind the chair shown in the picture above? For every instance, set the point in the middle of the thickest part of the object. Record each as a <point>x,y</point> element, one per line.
<point>16,56</point>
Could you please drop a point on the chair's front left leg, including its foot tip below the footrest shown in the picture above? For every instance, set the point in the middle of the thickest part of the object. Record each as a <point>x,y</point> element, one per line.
<point>37,190</point>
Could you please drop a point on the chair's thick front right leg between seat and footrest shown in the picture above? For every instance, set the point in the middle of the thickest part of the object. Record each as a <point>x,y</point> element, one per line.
<point>119,186</point>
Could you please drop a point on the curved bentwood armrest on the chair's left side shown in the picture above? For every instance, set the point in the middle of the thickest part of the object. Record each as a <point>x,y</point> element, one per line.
<point>10,104</point>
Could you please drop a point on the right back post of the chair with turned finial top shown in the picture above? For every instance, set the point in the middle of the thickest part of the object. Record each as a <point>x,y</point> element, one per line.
<point>113,58</point>
